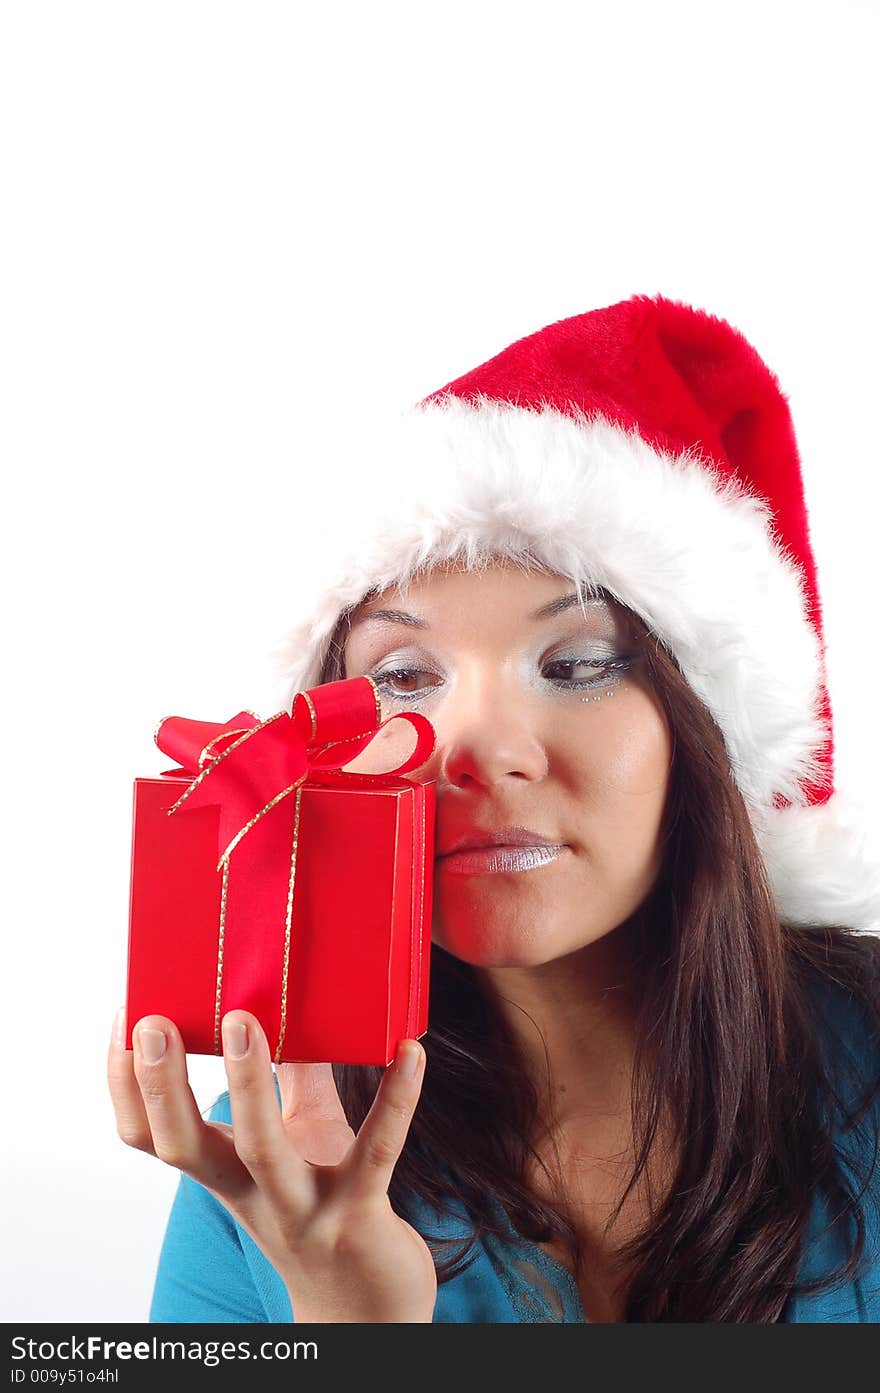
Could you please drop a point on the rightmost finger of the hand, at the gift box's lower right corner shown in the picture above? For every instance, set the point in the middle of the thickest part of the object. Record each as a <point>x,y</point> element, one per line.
<point>384,1133</point>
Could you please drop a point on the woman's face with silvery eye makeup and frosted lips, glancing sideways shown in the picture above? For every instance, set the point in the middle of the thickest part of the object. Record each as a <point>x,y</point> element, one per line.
<point>545,722</point>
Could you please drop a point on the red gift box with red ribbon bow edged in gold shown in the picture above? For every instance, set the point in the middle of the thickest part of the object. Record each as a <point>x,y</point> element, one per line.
<point>269,880</point>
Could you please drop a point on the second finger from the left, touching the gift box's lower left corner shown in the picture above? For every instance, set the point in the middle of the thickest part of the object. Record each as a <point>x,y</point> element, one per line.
<point>180,1135</point>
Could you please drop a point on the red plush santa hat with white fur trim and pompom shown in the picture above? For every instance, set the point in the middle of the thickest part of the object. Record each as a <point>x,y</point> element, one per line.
<point>645,449</point>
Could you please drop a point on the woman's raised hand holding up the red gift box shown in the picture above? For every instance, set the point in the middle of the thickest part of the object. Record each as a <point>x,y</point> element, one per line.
<point>313,1196</point>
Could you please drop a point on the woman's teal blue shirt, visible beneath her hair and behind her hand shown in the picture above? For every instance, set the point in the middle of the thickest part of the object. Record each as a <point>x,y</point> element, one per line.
<point>212,1271</point>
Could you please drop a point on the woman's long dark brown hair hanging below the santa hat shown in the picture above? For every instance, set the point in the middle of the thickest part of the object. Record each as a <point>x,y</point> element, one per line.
<point>734,1044</point>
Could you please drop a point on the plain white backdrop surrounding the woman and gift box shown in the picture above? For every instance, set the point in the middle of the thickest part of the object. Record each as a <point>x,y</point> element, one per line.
<point>232,233</point>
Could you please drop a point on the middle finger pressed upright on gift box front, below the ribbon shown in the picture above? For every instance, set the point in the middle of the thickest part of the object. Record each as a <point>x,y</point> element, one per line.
<point>258,1129</point>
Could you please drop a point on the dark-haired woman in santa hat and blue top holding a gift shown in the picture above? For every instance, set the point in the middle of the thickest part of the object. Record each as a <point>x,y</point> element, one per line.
<point>652,1086</point>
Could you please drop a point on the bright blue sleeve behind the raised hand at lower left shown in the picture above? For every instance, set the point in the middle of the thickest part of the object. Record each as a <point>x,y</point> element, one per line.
<point>210,1270</point>
